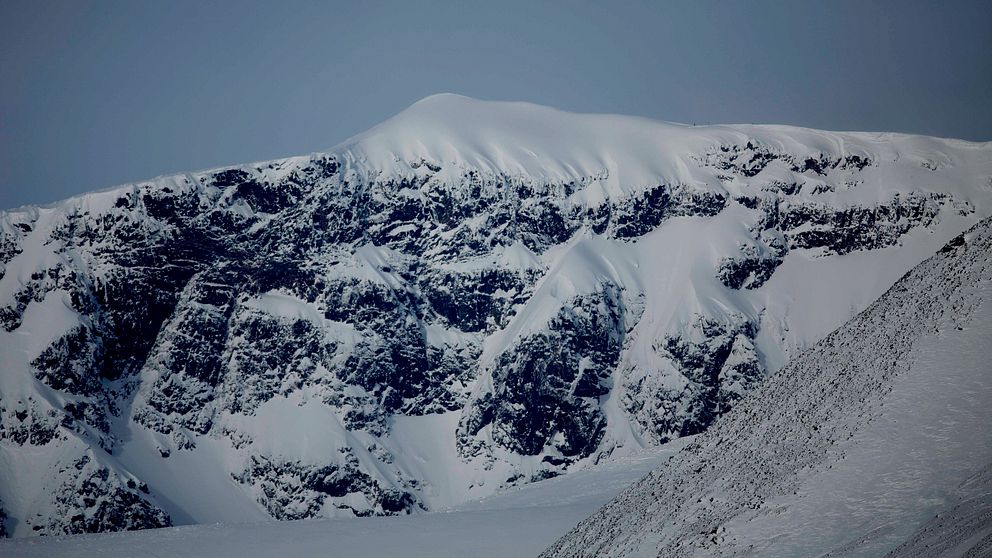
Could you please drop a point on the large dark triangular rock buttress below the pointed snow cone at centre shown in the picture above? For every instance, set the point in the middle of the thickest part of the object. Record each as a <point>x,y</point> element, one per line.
<point>546,387</point>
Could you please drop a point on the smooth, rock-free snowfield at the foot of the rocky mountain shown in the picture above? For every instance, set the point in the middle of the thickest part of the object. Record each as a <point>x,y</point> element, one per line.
<point>519,522</point>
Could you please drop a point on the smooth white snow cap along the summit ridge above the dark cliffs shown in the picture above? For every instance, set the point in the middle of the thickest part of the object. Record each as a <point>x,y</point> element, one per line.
<point>624,152</point>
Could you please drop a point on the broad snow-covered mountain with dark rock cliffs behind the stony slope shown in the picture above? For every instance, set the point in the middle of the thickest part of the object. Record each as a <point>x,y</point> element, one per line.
<point>472,295</point>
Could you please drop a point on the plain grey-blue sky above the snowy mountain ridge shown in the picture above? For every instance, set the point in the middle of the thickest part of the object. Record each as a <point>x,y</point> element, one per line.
<point>94,94</point>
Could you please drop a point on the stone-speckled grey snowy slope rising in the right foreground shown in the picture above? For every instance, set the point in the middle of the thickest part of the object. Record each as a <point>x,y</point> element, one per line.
<point>853,449</point>
